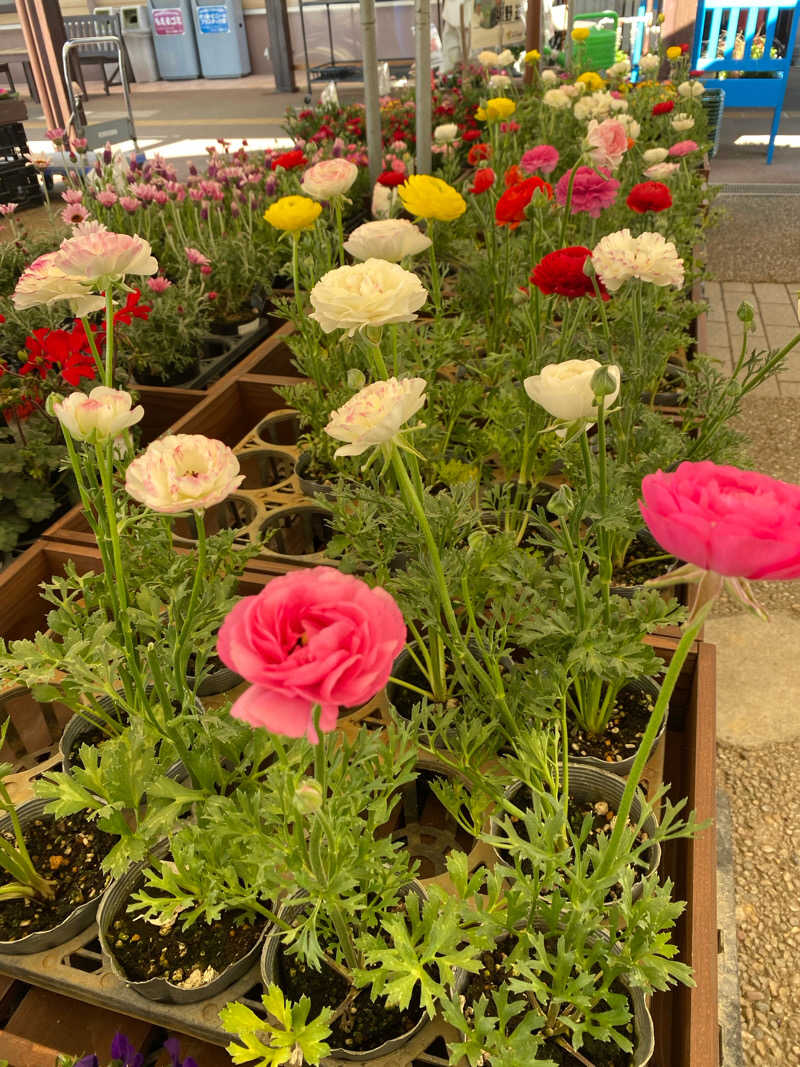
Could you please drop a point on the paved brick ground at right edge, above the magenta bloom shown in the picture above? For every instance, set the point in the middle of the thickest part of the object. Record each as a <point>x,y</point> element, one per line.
<point>776,309</point>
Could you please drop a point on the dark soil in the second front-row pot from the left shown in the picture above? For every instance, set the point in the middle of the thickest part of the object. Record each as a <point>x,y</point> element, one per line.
<point>189,959</point>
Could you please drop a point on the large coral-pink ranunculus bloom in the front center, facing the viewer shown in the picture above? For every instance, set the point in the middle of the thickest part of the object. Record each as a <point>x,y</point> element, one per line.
<point>311,639</point>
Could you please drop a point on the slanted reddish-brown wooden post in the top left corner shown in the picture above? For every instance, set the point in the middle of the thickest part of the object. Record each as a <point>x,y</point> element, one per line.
<point>43,28</point>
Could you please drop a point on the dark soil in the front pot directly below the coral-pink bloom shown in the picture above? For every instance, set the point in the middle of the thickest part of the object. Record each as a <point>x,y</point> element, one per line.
<point>364,1025</point>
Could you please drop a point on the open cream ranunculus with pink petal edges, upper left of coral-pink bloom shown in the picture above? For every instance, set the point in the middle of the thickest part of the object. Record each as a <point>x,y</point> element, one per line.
<point>184,472</point>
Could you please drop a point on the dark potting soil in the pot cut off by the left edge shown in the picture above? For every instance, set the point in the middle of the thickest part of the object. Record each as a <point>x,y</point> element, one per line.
<point>69,853</point>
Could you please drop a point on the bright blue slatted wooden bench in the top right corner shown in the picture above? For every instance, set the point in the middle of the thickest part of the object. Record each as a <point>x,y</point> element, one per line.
<point>726,38</point>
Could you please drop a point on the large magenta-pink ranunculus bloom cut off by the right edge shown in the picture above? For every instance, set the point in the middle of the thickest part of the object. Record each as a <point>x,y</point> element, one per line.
<point>739,524</point>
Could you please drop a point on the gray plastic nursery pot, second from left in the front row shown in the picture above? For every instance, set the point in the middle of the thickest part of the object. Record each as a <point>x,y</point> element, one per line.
<point>161,990</point>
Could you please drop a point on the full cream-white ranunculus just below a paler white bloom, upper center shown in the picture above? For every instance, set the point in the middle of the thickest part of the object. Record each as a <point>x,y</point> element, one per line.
<point>373,294</point>
